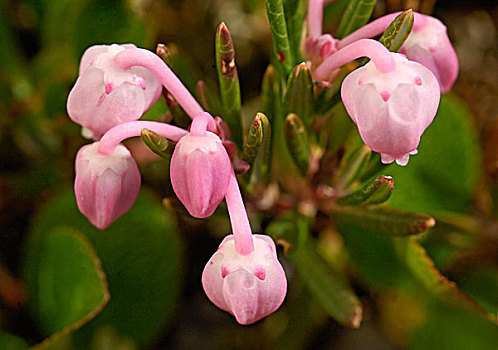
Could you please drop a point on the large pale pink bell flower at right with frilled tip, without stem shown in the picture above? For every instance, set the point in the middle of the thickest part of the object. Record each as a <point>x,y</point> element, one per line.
<point>392,109</point>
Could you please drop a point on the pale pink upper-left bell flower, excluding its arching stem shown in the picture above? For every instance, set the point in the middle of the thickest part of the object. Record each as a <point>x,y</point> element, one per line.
<point>105,95</point>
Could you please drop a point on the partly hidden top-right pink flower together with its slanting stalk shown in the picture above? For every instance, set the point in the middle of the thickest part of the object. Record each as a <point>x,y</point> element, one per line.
<point>428,44</point>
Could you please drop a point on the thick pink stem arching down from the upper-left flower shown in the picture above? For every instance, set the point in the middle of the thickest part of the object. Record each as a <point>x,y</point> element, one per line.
<point>144,58</point>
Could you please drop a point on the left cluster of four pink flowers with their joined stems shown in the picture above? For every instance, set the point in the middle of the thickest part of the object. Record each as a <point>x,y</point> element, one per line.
<point>117,84</point>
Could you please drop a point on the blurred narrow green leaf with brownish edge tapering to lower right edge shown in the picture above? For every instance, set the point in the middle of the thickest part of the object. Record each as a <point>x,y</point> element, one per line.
<point>414,256</point>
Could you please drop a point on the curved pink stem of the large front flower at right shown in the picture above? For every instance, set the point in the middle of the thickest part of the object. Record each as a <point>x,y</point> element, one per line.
<point>372,49</point>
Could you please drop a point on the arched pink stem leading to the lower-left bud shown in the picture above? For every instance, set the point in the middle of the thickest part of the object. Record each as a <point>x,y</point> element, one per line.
<point>113,137</point>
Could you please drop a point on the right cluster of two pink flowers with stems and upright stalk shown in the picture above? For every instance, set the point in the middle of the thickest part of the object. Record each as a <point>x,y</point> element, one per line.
<point>394,97</point>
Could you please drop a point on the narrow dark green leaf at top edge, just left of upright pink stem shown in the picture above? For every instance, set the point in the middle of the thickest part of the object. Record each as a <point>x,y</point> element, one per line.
<point>294,16</point>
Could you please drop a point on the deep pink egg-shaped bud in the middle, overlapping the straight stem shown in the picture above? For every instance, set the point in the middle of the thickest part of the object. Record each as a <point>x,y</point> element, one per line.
<point>200,172</point>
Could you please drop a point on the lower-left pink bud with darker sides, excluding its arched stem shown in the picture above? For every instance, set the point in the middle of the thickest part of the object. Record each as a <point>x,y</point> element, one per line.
<point>105,186</point>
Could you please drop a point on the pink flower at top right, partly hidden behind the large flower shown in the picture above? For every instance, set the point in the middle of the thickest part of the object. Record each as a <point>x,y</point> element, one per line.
<point>431,47</point>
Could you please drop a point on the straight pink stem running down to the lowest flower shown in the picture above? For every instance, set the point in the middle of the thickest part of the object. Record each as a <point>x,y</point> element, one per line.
<point>241,228</point>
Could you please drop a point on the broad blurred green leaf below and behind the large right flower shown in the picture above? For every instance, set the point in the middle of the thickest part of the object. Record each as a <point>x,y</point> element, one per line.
<point>445,172</point>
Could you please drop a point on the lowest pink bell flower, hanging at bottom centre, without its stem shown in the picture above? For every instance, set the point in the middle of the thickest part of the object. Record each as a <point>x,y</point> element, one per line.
<point>251,286</point>
